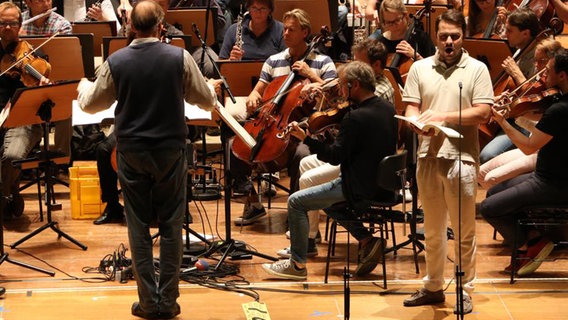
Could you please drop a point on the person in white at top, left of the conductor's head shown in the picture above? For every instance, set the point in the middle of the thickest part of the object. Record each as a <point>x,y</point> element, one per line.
<point>90,10</point>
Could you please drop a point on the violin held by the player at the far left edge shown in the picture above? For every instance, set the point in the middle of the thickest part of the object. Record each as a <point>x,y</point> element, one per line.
<point>20,62</point>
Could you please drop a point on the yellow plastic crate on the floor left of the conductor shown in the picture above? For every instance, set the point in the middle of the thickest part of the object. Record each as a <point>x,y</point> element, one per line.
<point>85,191</point>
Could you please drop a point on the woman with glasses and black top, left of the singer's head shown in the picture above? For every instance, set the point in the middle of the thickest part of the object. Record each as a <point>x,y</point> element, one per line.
<point>395,22</point>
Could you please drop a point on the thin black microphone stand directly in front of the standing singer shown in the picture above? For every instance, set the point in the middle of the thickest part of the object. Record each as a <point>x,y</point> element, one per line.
<point>459,273</point>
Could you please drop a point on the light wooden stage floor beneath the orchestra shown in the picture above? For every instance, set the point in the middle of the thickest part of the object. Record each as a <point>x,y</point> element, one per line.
<point>75,294</point>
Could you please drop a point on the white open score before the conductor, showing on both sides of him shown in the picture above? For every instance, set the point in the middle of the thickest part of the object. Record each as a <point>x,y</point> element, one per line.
<point>80,117</point>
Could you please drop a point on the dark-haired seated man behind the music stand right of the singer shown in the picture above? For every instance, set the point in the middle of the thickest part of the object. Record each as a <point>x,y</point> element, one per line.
<point>522,28</point>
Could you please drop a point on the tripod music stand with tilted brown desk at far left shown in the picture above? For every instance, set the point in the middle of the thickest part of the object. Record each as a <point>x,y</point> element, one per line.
<point>42,105</point>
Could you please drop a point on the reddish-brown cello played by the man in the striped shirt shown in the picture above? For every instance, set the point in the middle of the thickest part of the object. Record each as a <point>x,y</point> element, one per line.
<point>281,105</point>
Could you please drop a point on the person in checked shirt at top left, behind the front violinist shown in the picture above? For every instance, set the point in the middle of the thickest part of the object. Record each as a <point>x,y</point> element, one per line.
<point>46,25</point>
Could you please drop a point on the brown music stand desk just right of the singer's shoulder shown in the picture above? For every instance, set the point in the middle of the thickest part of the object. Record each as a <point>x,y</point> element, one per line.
<point>492,52</point>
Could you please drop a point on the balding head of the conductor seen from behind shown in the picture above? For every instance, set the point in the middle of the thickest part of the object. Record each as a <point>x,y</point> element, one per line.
<point>146,18</point>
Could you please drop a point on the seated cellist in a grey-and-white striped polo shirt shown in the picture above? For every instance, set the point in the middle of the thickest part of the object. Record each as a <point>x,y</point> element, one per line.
<point>315,67</point>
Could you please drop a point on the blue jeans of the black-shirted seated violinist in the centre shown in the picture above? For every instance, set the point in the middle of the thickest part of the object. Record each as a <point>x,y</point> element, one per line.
<point>323,196</point>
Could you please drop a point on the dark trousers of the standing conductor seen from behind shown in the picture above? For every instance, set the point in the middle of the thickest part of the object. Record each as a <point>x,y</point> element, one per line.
<point>154,187</point>
